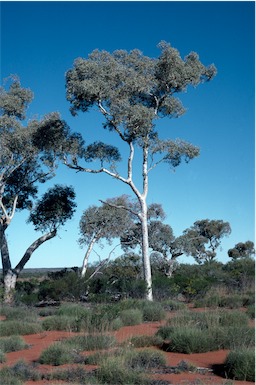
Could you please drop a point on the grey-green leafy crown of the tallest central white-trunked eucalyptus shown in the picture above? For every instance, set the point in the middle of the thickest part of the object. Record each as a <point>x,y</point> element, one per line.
<point>132,90</point>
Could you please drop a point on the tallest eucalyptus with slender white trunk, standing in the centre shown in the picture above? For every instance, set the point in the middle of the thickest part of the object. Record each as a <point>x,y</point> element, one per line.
<point>132,91</point>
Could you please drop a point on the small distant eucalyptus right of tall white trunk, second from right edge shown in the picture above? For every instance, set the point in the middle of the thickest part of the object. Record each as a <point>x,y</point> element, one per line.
<point>203,238</point>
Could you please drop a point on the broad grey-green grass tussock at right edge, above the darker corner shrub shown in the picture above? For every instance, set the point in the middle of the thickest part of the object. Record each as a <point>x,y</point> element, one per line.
<point>207,331</point>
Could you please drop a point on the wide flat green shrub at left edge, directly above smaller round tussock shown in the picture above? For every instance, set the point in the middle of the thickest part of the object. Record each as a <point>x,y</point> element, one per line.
<point>8,328</point>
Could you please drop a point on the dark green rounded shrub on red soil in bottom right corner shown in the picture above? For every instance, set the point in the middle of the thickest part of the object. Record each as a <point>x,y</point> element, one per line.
<point>240,365</point>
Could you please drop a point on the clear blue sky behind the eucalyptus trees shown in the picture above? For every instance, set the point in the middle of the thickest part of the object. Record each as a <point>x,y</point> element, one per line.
<point>40,41</point>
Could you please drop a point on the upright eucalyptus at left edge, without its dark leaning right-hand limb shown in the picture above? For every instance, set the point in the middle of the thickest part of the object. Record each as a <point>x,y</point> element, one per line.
<point>27,157</point>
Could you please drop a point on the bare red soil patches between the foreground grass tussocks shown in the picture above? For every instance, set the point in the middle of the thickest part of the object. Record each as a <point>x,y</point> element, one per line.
<point>41,341</point>
